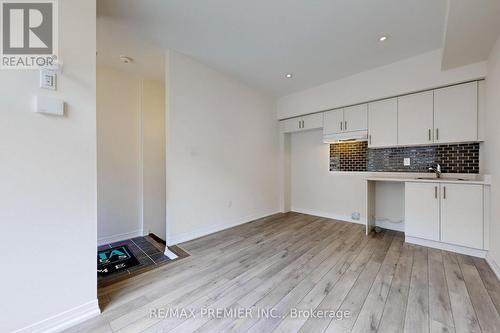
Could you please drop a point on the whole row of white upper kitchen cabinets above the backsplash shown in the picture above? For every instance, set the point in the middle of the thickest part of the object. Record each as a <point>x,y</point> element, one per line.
<point>447,115</point>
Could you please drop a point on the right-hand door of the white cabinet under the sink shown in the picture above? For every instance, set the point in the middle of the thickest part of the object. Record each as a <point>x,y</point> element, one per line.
<point>462,215</point>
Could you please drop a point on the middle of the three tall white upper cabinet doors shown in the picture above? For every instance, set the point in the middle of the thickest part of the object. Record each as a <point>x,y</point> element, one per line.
<point>415,118</point>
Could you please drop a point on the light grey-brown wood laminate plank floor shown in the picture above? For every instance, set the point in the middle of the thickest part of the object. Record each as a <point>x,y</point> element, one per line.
<point>297,261</point>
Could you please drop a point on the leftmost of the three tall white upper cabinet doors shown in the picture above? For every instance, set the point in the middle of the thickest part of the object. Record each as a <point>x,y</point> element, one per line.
<point>383,123</point>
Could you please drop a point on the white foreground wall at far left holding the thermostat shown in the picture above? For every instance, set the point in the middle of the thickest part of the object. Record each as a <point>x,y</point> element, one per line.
<point>48,186</point>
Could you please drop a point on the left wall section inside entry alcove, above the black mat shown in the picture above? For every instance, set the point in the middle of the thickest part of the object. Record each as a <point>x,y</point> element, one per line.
<point>118,155</point>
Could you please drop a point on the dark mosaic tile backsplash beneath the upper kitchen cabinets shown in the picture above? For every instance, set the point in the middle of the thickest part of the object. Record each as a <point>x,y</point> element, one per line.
<point>356,156</point>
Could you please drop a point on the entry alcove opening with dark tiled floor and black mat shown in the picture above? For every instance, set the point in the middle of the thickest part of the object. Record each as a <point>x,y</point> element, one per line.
<point>131,164</point>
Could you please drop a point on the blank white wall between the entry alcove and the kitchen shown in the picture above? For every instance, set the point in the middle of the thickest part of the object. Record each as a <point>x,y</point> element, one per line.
<point>222,151</point>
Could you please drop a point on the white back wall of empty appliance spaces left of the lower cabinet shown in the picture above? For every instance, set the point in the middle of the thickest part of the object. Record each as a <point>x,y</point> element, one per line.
<point>317,191</point>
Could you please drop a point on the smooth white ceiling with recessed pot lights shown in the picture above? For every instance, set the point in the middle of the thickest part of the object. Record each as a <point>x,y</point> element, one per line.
<point>259,41</point>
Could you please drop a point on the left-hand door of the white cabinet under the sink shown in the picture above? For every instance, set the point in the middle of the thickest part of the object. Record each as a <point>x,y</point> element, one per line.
<point>422,210</point>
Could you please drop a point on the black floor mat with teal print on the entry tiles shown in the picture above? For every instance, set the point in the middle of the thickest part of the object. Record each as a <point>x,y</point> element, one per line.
<point>115,259</point>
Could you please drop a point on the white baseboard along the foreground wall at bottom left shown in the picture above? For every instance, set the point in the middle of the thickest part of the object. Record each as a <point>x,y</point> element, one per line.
<point>64,319</point>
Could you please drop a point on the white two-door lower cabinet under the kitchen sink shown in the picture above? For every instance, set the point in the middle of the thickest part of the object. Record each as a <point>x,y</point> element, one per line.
<point>444,212</point>
